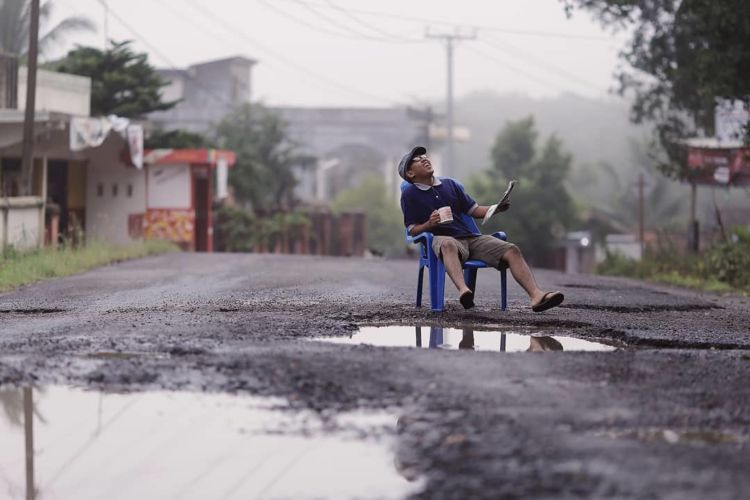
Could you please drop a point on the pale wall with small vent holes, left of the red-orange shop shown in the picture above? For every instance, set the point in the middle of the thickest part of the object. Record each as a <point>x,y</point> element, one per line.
<point>114,192</point>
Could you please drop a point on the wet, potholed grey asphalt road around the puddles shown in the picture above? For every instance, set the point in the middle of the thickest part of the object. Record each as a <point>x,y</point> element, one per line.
<point>665,416</point>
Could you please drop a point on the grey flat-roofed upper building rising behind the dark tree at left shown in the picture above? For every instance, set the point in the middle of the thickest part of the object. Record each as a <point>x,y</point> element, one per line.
<point>207,92</point>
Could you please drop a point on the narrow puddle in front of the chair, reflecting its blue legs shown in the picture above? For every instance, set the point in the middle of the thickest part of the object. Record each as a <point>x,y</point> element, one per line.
<point>466,338</point>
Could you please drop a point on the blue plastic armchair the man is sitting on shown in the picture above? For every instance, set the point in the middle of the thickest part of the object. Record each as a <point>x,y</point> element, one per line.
<point>436,276</point>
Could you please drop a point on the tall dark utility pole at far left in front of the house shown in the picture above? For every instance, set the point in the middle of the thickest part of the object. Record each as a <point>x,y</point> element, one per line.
<point>27,147</point>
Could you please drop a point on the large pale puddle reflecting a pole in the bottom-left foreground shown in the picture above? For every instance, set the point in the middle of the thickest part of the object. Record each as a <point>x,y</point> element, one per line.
<point>71,443</point>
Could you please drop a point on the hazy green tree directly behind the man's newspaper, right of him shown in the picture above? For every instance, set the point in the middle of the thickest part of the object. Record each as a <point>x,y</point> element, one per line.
<point>541,209</point>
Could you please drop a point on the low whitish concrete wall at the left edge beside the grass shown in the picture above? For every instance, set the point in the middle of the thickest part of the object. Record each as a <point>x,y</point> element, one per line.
<point>21,222</point>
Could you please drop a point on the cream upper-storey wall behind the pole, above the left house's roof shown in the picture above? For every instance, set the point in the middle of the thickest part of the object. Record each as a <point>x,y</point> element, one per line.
<point>58,92</point>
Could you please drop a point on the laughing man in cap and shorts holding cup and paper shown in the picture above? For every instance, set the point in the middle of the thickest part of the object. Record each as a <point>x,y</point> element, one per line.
<point>453,241</point>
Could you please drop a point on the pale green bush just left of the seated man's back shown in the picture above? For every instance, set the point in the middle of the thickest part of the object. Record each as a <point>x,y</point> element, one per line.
<point>385,226</point>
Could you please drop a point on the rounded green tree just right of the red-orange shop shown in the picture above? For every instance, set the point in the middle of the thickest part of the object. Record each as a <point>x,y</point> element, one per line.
<point>264,172</point>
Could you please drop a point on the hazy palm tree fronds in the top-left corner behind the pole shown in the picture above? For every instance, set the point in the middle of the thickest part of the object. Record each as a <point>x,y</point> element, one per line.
<point>14,26</point>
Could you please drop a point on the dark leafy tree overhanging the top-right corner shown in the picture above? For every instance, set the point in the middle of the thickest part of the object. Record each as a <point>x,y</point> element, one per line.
<point>682,56</point>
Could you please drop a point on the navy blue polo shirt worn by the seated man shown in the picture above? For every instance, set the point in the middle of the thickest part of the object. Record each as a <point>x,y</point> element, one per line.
<point>418,201</point>
